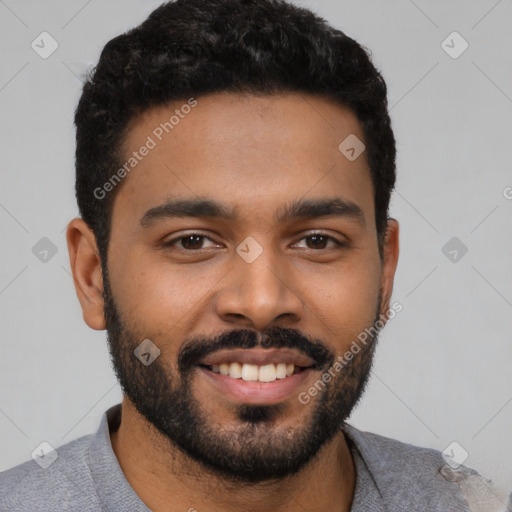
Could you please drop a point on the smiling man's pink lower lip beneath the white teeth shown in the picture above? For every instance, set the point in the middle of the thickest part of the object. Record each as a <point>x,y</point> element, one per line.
<point>254,392</point>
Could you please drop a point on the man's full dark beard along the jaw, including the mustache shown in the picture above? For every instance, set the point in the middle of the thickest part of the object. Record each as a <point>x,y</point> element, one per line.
<point>256,449</point>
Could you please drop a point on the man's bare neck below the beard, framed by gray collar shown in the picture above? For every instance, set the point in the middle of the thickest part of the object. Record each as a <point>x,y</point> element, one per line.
<point>165,479</point>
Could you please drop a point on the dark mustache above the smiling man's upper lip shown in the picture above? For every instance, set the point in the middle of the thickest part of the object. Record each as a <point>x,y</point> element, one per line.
<point>196,348</point>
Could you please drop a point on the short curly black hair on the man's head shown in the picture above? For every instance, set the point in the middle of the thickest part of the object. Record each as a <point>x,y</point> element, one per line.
<point>189,48</point>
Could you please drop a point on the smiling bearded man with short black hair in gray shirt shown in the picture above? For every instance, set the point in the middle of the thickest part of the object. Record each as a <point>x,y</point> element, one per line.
<point>234,166</point>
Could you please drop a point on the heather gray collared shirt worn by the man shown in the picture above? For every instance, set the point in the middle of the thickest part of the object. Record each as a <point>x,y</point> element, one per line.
<point>86,476</point>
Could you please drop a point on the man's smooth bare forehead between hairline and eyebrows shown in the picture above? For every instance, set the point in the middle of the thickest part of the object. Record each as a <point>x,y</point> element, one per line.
<point>255,153</point>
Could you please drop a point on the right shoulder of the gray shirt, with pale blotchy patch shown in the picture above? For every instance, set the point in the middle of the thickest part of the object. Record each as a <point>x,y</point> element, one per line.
<point>422,478</point>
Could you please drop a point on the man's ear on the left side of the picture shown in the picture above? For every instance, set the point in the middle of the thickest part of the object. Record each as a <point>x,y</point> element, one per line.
<point>86,268</point>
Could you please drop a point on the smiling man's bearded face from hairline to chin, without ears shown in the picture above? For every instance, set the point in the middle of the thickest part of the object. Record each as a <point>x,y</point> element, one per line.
<point>212,290</point>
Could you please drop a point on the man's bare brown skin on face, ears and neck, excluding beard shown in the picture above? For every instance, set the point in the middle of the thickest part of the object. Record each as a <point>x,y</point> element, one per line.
<point>255,154</point>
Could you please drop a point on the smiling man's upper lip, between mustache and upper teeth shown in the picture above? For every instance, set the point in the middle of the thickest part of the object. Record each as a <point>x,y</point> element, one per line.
<point>258,356</point>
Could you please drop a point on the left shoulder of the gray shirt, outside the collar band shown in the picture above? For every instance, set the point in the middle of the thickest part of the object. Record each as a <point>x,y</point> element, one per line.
<point>61,482</point>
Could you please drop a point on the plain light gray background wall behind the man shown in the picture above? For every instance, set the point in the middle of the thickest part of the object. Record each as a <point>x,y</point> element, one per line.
<point>444,364</point>
